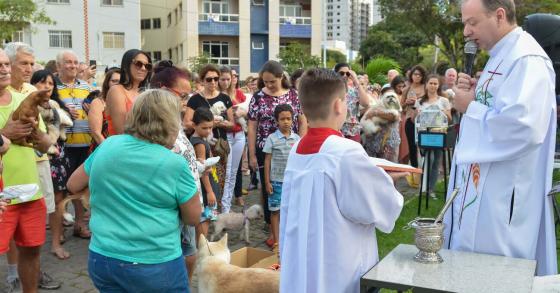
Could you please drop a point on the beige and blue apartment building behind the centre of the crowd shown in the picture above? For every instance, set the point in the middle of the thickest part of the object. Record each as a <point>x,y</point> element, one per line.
<point>243,34</point>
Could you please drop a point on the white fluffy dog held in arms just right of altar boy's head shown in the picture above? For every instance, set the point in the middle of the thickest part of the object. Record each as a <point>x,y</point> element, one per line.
<point>389,102</point>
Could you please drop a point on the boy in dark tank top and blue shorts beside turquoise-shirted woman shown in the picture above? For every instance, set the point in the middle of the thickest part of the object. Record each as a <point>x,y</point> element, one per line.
<point>203,121</point>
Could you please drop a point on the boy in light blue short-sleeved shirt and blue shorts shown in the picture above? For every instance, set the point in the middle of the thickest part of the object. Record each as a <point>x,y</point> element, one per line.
<point>277,148</point>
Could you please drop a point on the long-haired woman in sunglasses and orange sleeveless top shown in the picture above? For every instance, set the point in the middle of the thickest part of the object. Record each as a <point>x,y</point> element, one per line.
<point>136,69</point>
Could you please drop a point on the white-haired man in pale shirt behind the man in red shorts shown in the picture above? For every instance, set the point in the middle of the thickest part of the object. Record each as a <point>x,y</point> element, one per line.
<point>22,61</point>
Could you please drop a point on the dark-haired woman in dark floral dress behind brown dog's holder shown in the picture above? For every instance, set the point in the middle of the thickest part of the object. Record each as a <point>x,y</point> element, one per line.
<point>60,165</point>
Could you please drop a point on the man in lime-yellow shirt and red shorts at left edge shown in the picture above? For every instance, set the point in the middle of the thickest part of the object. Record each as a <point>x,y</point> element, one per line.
<point>25,217</point>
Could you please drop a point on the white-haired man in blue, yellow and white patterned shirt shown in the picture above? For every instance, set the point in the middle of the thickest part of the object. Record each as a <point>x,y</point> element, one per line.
<point>73,92</point>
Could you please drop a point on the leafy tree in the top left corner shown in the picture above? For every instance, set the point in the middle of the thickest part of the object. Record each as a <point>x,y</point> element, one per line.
<point>15,15</point>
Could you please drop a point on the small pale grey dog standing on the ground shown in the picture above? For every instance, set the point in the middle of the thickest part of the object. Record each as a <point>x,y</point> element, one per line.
<point>237,221</point>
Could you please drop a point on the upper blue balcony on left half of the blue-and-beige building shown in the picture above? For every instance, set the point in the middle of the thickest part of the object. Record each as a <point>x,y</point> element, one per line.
<point>218,24</point>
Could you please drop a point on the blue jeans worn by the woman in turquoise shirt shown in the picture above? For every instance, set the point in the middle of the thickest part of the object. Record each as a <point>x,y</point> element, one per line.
<point>114,275</point>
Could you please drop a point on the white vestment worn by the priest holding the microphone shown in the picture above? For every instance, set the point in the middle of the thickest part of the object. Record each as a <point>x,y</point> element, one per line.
<point>503,160</point>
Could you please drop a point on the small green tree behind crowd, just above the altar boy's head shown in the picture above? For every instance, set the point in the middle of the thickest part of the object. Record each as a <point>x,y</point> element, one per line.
<point>296,56</point>
